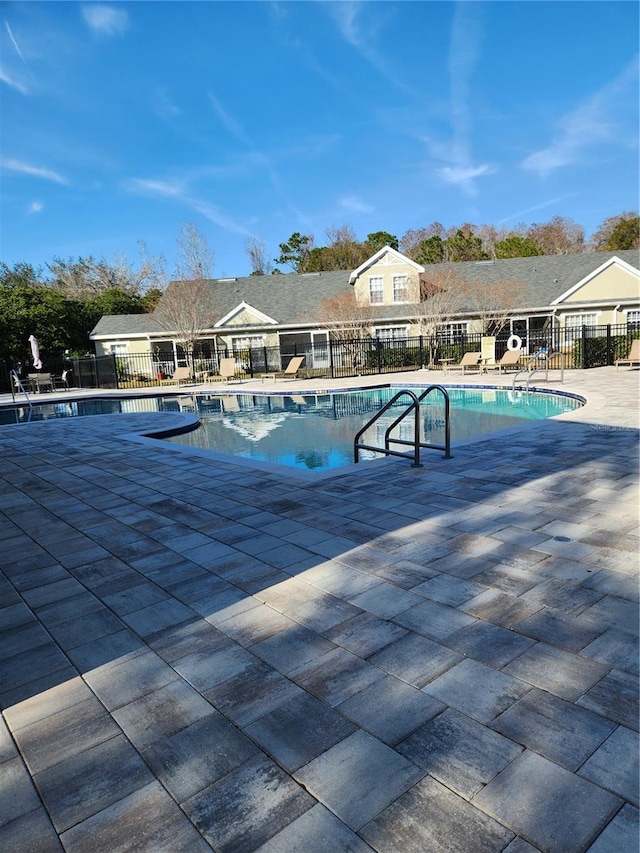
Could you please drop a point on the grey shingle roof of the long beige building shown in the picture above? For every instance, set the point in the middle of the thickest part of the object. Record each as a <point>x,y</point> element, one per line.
<point>294,300</point>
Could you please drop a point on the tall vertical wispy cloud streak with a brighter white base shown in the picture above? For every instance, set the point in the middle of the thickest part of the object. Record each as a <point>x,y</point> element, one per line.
<point>464,54</point>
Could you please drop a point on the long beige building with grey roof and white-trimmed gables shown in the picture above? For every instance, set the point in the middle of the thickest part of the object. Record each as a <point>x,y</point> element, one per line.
<point>540,296</point>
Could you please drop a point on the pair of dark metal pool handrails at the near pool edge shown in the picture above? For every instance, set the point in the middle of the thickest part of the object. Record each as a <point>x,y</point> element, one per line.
<point>412,408</point>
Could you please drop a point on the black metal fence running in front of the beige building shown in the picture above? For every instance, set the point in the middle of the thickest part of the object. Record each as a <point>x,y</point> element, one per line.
<point>580,347</point>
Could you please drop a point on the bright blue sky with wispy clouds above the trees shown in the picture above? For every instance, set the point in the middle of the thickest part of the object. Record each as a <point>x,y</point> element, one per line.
<point>123,121</point>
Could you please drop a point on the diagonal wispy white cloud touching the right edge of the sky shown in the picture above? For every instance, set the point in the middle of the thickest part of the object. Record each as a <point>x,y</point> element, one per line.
<point>594,122</point>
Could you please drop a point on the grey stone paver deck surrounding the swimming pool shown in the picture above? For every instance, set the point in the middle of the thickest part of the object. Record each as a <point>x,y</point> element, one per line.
<point>199,655</point>
